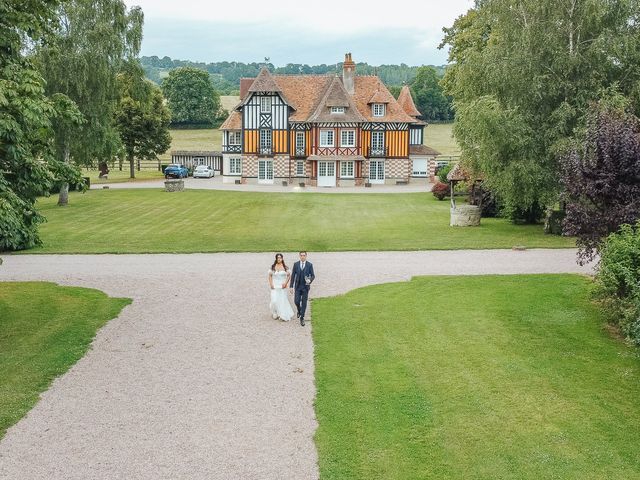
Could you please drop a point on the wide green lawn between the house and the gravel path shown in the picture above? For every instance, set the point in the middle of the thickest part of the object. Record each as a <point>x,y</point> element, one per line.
<point>146,221</point>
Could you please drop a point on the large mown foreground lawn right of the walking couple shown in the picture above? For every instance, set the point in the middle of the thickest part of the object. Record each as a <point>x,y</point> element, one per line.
<point>485,377</point>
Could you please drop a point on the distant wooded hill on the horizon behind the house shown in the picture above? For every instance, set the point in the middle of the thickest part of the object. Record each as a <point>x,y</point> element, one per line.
<point>226,75</point>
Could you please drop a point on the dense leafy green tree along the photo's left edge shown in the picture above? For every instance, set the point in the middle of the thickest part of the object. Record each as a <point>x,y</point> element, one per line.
<point>28,165</point>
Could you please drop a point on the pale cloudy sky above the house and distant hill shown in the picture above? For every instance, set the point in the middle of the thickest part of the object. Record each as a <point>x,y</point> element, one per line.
<point>299,31</point>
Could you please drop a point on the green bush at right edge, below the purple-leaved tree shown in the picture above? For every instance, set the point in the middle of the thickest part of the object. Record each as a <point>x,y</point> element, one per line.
<point>618,280</point>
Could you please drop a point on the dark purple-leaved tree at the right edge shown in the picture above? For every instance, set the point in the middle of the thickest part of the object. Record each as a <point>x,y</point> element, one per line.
<point>601,181</point>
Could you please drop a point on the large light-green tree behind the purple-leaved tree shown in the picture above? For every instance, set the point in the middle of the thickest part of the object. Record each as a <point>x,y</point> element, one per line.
<point>523,76</point>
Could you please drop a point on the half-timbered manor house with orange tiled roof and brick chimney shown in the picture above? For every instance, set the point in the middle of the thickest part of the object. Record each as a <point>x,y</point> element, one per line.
<point>323,130</point>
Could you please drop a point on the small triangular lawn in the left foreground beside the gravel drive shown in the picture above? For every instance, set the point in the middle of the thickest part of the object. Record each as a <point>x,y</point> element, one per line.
<point>44,330</point>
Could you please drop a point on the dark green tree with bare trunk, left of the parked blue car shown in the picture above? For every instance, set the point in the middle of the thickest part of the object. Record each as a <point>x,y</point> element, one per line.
<point>142,117</point>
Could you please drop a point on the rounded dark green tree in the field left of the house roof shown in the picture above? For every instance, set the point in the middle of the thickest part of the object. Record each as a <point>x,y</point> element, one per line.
<point>191,96</point>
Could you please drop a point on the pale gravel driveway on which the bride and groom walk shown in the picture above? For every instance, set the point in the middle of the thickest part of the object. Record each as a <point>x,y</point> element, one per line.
<point>194,380</point>
